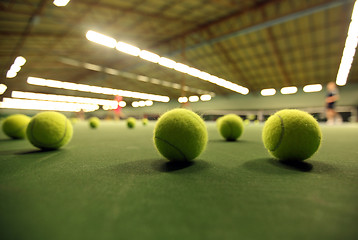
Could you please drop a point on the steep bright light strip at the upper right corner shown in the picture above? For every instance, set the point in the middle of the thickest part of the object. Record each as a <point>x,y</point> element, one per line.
<point>349,49</point>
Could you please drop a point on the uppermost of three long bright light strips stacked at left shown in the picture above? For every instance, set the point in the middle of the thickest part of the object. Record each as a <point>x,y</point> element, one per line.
<point>95,89</point>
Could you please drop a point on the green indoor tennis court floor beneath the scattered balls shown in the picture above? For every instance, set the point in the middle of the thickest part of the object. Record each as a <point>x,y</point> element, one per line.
<point>110,183</point>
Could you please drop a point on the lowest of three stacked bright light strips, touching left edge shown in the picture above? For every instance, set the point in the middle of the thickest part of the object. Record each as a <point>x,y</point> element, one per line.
<point>47,105</point>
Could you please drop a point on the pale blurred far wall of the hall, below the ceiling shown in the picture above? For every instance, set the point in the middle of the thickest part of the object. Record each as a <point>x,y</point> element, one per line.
<point>251,103</point>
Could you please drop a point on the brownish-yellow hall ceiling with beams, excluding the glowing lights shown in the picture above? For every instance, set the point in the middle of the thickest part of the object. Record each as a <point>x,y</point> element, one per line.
<point>254,43</point>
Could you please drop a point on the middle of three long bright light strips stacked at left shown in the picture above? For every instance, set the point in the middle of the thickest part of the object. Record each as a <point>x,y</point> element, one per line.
<point>63,98</point>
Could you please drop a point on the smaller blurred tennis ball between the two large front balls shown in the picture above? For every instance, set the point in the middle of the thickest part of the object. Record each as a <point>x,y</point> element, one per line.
<point>231,127</point>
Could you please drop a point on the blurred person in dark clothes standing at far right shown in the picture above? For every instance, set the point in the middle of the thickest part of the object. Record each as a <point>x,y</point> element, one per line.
<point>331,100</point>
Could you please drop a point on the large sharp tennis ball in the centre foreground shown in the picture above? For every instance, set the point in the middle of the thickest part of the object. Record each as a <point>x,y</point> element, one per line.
<point>180,135</point>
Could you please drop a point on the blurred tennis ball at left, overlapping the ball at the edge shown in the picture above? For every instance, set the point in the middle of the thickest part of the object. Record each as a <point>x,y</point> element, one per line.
<point>49,130</point>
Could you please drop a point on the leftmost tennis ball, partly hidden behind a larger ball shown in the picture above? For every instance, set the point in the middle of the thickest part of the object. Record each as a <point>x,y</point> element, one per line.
<point>15,125</point>
